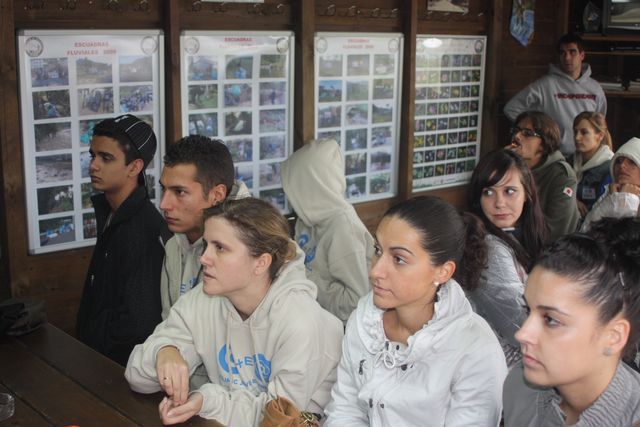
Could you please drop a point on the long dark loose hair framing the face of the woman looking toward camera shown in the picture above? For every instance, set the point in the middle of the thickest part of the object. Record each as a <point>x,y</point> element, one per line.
<point>490,171</point>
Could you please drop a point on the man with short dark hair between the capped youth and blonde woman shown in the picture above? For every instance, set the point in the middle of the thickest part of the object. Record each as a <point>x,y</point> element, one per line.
<point>198,173</point>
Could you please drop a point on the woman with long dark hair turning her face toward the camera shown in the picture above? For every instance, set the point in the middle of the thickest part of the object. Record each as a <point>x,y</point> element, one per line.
<point>503,194</point>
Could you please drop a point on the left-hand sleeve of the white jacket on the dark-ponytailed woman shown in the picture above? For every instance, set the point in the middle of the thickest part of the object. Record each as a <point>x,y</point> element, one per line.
<point>345,408</point>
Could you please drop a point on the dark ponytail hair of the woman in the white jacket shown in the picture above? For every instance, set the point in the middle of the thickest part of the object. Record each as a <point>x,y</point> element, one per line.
<point>446,235</point>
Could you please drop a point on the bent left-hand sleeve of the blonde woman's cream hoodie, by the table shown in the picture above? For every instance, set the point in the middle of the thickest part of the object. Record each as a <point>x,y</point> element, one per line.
<point>141,367</point>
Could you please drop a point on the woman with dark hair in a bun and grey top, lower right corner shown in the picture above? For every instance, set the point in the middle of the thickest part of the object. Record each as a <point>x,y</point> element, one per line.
<point>583,300</point>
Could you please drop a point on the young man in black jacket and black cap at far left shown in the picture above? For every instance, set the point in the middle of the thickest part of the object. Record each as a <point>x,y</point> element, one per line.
<point>120,304</point>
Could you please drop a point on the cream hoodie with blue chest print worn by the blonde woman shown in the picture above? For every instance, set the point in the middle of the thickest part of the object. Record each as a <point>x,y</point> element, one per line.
<point>289,347</point>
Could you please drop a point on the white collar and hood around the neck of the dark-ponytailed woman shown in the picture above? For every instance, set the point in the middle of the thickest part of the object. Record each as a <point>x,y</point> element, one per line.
<point>452,306</point>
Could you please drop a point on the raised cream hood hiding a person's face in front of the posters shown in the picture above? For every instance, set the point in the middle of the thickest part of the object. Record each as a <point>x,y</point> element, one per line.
<point>314,182</point>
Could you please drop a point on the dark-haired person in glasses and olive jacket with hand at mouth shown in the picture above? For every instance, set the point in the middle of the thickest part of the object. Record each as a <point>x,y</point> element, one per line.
<point>536,137</point>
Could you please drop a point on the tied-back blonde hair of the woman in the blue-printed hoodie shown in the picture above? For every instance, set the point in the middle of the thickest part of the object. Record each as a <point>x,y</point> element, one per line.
<point>260,227</point>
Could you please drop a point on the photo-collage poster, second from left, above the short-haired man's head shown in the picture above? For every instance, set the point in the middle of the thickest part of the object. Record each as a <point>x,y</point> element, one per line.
<point>238,88</point>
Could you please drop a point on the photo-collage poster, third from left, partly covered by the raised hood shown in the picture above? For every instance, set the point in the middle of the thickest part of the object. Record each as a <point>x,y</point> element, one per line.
<point>357,96</point>
